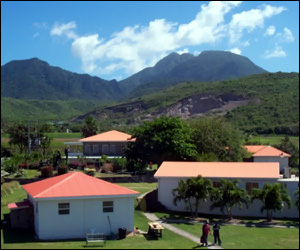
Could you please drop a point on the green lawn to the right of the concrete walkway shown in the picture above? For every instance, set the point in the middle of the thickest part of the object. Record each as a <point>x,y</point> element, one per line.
<point>241,237</point>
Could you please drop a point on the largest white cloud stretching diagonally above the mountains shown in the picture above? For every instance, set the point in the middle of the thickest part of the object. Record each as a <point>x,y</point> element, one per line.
<point>136,47</point>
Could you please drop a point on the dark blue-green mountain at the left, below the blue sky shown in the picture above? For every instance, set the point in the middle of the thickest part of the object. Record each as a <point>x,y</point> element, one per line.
<point>36,79</point>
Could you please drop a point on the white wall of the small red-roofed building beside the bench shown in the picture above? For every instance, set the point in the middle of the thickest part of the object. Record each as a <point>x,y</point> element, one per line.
<point>84,215</point>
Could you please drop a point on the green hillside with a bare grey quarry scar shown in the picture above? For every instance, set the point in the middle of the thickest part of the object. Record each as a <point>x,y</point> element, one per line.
<point>263,103</point>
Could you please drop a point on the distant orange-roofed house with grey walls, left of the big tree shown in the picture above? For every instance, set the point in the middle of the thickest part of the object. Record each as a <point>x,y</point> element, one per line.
<point>109,143</point>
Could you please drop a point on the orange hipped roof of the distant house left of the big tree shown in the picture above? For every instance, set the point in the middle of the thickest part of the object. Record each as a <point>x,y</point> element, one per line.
<point>113,135</point>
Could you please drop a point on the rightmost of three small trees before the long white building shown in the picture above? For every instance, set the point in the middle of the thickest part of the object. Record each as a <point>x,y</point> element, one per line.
<point>272,197</point>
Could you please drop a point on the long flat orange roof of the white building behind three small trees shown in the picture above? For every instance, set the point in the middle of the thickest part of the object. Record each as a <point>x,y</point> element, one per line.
<point>258,170</point>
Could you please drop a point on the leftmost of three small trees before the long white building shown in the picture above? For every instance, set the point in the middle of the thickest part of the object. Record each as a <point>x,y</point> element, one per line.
<point>196,189</point>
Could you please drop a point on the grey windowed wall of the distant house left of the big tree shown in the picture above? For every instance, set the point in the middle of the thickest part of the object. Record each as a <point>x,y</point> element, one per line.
<point>118,146</point>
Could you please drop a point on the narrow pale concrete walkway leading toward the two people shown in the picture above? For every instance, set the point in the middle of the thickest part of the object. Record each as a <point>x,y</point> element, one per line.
<point>176,230</point>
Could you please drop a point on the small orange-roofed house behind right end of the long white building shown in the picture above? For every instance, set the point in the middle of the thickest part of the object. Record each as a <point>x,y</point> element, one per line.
<point>263,153</point>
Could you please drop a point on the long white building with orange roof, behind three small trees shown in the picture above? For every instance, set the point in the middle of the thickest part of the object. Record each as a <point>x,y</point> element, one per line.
<point>251,175</point>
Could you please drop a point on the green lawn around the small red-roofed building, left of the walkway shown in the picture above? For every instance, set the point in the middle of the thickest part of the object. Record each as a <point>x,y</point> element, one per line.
<point>22,239</point>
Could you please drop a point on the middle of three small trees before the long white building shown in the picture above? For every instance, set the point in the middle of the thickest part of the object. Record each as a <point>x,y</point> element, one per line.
<point>228,195</point>
